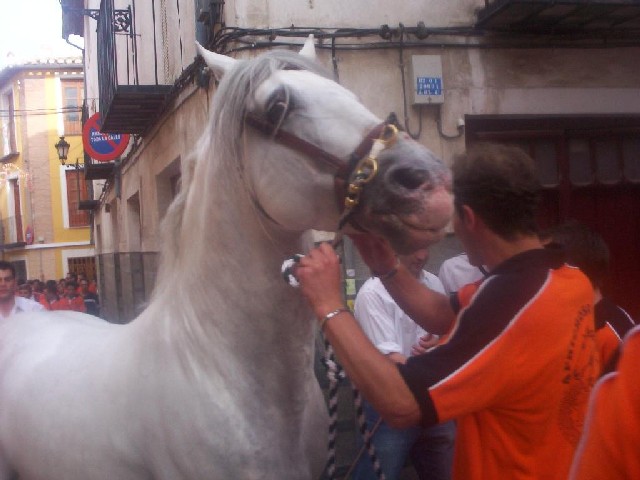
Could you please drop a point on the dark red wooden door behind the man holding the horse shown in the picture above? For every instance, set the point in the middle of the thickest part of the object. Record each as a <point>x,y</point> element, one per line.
<point>590,167</point>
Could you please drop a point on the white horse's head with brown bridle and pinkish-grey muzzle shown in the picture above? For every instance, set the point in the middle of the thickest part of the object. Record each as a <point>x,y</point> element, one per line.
<point>310,138</point>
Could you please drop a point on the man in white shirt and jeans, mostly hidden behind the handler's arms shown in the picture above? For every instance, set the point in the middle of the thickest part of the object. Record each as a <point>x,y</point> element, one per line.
<point>396,335</point>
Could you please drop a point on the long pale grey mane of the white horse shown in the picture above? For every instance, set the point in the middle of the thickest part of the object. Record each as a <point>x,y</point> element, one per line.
<point>221,142</point>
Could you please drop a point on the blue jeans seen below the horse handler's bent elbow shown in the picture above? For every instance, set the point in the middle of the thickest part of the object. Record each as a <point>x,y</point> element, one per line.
<point>431,449</point>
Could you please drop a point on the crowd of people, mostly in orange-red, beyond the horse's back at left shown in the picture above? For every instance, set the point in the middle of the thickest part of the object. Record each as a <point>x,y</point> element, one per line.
<point>74,292</point>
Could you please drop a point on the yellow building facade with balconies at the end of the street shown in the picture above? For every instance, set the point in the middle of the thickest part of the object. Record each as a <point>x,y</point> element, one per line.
<point>44,233</point>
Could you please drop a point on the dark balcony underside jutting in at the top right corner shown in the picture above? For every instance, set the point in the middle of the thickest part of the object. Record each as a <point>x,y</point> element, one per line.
<point>612,18</point>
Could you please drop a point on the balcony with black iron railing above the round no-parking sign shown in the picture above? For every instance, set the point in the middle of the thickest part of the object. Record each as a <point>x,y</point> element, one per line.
<point>131,97</point>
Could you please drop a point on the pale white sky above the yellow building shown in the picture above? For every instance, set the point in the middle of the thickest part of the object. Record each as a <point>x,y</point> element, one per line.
<point>32,29</point>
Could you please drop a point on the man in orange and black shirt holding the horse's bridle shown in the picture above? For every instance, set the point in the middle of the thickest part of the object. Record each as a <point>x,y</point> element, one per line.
<point>520,359</point>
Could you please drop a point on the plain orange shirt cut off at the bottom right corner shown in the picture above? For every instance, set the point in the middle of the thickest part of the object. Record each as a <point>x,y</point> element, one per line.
<point>610,445</point>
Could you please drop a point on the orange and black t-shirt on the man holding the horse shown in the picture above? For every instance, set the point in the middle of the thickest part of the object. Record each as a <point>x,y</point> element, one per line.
<point>516,371</point>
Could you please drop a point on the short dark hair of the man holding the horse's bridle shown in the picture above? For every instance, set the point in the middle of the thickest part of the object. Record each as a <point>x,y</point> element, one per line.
<point>499,183</point>
